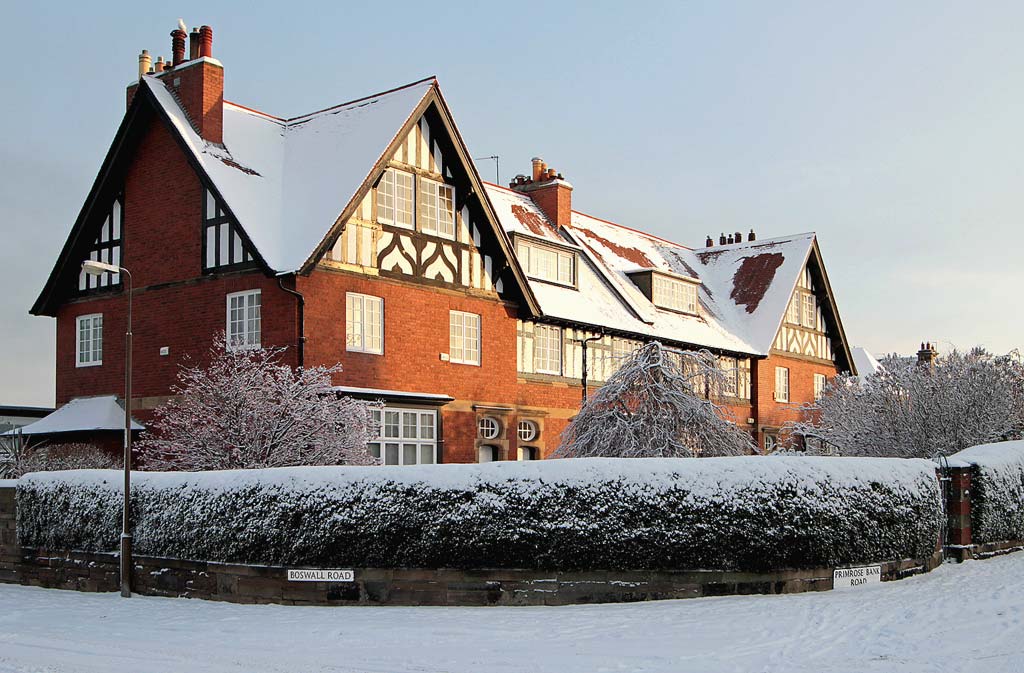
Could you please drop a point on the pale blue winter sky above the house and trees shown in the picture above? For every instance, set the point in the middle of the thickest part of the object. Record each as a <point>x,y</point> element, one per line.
<point>894,131</point>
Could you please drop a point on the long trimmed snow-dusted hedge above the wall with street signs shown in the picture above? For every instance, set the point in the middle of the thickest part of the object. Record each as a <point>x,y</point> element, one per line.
<point>747,514</point>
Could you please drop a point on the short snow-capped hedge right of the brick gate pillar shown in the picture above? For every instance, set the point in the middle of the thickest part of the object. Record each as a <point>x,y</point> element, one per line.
<point>997,491</point>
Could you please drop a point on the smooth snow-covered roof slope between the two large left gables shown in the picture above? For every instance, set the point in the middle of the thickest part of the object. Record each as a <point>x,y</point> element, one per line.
<point>289,181</point>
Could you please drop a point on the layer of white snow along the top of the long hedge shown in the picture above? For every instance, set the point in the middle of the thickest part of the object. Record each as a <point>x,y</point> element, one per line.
<point>710,478</point>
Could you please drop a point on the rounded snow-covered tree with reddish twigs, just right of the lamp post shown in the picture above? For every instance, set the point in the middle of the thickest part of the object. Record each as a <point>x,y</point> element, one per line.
<point>248,410</point>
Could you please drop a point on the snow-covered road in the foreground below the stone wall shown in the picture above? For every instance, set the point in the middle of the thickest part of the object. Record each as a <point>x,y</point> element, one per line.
<point>959,618</point>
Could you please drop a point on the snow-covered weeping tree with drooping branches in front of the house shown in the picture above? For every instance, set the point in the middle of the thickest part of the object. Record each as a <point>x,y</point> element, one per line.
<point>657,406</point>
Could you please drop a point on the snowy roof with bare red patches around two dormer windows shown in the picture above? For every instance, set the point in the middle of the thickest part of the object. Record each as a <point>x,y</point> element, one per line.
<point>744,293</point>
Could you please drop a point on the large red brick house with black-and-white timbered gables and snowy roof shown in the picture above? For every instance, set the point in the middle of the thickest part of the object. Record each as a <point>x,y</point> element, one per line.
<point>363,234</point>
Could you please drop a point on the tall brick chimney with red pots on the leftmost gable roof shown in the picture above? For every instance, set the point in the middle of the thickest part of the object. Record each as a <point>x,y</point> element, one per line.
<point>198,83</point>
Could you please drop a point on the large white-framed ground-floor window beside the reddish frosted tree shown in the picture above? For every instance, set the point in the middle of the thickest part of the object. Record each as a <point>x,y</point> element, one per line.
<point>407,437</point>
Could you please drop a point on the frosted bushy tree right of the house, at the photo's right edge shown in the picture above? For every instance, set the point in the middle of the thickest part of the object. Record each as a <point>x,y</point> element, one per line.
<point>916,410</point>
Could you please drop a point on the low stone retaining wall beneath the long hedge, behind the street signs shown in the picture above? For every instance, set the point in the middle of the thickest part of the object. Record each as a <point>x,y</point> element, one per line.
<point>255,584</point>
